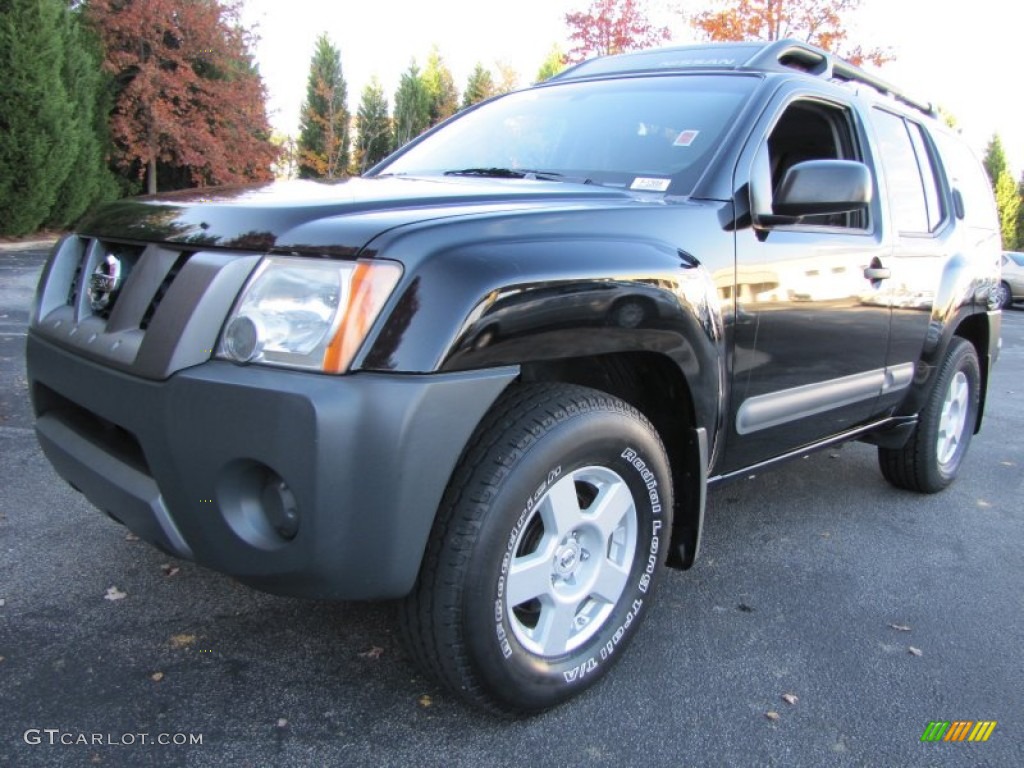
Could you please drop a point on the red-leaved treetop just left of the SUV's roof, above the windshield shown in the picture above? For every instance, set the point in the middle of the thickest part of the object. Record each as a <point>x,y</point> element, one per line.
<point>612,27</point>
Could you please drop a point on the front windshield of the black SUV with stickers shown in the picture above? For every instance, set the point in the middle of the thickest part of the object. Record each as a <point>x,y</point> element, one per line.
<point>642,134</point>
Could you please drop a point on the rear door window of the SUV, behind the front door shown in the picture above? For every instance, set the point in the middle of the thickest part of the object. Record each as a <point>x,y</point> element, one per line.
<point>915,193</point>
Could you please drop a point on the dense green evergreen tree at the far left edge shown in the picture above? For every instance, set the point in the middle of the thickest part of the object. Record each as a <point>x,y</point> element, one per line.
<point>38,137</point>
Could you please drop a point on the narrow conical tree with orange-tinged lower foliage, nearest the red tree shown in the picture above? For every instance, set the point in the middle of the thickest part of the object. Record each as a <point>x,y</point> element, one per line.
<point>324,140</point>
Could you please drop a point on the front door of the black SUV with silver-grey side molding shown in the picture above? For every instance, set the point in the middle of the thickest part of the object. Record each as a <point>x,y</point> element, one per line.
<point>812,325</point>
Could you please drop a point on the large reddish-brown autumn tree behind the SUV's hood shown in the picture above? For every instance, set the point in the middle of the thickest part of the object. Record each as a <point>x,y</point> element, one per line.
<point>188,97</point>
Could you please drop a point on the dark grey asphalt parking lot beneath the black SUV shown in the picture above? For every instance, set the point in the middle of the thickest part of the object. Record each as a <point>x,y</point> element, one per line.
<point>817,580</point>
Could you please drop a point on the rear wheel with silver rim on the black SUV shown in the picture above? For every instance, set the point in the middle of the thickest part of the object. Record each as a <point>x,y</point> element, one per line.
<point>933,456</point>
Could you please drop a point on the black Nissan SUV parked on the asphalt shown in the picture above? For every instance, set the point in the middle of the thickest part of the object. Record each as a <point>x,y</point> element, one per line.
<point>496,376</point>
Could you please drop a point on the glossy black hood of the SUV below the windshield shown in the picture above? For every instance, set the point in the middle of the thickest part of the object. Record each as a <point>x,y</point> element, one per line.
<point>333,219</point>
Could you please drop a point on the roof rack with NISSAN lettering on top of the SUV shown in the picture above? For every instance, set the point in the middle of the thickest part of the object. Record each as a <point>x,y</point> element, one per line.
<point>779,56</point>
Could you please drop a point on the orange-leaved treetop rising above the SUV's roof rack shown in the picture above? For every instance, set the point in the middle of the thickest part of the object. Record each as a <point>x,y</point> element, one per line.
<point>821,23</point>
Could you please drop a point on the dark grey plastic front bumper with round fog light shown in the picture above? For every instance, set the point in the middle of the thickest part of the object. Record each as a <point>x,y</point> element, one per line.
<point>195,464</point>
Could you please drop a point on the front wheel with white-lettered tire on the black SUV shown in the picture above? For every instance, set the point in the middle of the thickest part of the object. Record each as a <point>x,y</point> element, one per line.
<point>545,552</point>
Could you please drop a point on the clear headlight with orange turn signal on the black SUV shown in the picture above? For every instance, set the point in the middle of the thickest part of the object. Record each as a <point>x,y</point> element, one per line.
<point>307,313</point>
